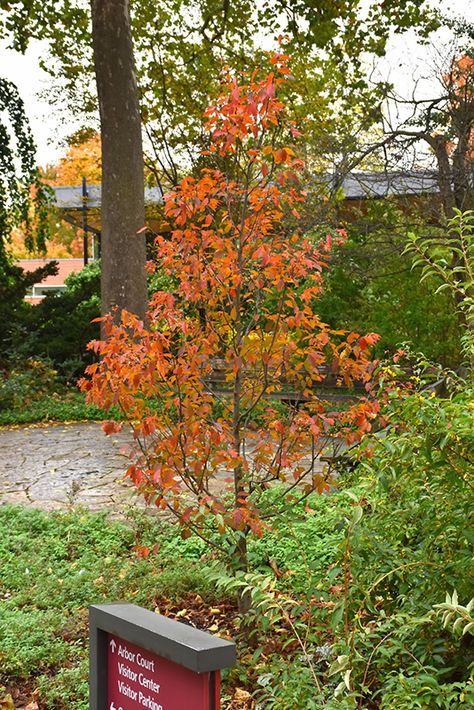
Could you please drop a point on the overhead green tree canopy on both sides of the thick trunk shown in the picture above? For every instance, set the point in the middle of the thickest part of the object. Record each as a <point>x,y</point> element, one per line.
<point>181,48</point>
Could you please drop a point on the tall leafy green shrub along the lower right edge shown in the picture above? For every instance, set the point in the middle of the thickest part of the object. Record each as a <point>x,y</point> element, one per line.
<point>400,558</point>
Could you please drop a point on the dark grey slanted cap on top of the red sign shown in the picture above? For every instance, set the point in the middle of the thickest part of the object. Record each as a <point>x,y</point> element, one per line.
<point>189,647</point>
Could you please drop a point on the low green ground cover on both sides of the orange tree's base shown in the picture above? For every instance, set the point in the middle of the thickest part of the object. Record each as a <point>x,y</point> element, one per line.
<point>54,565</point>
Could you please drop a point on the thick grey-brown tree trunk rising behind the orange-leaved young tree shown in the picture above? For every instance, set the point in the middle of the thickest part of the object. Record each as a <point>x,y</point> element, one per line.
<point>123,214</point>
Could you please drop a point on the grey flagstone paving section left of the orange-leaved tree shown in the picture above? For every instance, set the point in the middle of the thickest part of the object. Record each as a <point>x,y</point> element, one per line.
<point>66,464</point>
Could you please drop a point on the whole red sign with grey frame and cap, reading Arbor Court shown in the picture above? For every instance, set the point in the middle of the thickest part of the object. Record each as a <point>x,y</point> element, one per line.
<point>139,659</point>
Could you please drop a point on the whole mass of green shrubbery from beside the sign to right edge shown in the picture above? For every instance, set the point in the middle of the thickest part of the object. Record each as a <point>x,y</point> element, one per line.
<point>355,600</point>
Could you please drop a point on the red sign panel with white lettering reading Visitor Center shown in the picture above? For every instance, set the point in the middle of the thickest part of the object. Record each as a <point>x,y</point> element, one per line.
<point>140,679</point>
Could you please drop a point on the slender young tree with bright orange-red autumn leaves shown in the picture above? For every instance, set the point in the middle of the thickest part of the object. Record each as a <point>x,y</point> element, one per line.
<point>246,291</point>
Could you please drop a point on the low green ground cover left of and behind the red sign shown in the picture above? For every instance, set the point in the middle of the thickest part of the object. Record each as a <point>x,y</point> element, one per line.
<point>54,566</point>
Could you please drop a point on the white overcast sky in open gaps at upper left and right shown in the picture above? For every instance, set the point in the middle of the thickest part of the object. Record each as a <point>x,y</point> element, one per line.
<point>403,60</point>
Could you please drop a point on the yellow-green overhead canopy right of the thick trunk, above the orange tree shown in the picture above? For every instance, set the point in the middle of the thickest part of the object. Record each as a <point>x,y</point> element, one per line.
<point>329,93</point>
